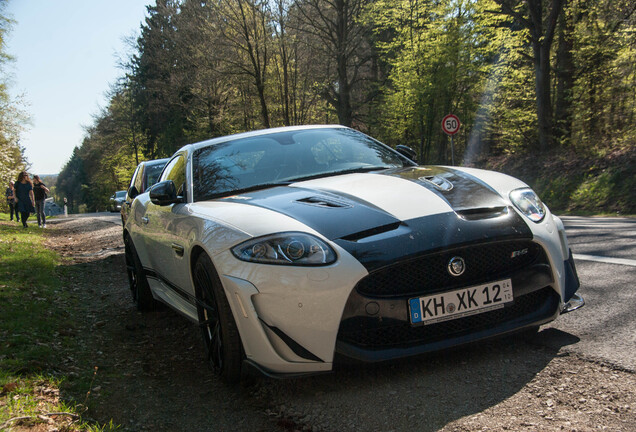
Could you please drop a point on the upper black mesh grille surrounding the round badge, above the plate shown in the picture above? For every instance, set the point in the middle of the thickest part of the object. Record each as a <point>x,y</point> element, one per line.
<point>429,274</point>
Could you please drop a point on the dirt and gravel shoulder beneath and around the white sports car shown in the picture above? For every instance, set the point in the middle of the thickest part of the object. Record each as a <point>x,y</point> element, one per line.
<point>151,374</point>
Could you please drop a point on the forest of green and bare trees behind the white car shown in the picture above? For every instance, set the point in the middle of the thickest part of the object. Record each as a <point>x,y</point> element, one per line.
<point>545,90</point>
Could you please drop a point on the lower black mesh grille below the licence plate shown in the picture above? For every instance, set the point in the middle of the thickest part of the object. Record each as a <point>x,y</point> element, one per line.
<point>369,332</point>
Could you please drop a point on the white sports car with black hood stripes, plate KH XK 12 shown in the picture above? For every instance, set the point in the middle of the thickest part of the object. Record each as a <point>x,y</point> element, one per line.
<point>294,248</point>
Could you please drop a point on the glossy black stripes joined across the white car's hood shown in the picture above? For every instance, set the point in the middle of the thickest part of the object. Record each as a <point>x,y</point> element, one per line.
<point>479,214</point>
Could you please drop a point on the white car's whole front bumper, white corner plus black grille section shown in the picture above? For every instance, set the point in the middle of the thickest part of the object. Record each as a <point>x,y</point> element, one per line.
<point>286,332</point>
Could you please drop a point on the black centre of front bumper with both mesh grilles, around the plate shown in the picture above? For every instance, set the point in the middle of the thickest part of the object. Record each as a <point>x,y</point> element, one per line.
<point>376,322</point>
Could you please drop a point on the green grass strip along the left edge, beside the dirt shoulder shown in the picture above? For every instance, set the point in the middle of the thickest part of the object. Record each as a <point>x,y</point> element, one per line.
<point>36,315</point>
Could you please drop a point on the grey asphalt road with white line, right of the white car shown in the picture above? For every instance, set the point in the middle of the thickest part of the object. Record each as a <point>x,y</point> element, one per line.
<point>605,255</point>
